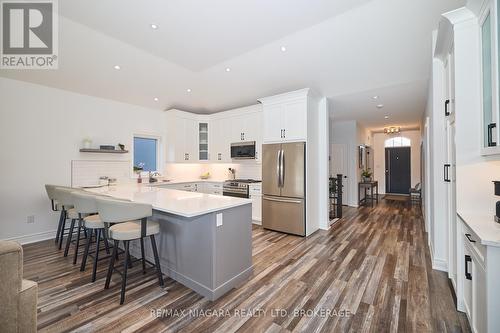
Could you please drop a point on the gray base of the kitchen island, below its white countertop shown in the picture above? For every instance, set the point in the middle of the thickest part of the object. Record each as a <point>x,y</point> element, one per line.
<point>207,258</point>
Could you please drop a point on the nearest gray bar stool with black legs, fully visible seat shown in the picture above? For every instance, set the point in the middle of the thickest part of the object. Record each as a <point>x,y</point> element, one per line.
<point>130,223</point>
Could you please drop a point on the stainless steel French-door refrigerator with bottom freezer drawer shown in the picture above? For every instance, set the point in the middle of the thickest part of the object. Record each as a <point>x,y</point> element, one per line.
<point>284,187</point>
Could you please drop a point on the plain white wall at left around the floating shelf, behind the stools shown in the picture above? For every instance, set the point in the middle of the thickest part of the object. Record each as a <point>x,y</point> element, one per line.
<point>41,130</point>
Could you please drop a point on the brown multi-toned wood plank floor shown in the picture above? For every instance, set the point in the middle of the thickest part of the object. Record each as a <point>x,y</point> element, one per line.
<point>372,272</point>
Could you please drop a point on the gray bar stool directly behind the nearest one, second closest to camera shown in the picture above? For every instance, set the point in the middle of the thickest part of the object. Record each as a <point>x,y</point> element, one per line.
<point>85,205</point>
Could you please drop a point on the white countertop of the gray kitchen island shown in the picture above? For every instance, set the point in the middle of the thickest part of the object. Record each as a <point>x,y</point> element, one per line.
<point>182,203</point>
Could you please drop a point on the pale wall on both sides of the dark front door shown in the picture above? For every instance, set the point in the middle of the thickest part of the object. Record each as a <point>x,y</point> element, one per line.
<point>379,157</point>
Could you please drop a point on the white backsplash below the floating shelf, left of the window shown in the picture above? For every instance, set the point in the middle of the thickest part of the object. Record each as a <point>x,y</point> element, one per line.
<point>87,173</point>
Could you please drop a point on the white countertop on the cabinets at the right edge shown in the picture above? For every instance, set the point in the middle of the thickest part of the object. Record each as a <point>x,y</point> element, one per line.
<point>484,226</point>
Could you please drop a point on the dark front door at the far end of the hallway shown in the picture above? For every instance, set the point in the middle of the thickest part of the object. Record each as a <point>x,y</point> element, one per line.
<point>397,170</point>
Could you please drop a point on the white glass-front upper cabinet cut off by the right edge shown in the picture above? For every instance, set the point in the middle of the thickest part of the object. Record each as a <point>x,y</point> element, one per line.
<point>490,31</point>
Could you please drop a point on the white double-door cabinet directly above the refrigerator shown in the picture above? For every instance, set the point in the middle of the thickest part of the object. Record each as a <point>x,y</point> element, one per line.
<point>285,116</point>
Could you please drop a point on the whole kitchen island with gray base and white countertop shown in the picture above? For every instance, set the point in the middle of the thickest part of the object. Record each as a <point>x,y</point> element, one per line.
<point>205,240</point>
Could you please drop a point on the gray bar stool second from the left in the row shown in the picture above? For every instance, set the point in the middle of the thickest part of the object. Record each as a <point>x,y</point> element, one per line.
<point>65,195</point>
